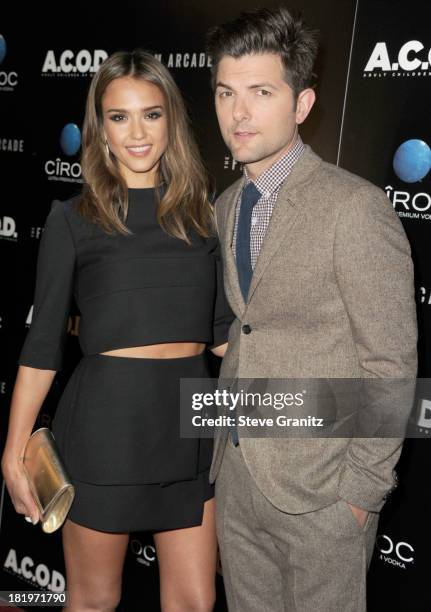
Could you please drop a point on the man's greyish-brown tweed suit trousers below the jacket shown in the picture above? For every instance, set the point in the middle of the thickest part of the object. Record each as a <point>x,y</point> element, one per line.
<point>275,561</point>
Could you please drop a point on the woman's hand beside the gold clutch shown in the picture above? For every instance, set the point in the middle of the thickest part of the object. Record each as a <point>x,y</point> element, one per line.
<point>19,490</point>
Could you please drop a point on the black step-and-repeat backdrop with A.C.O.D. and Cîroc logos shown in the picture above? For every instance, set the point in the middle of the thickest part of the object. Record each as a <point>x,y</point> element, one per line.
<point>372,117</point>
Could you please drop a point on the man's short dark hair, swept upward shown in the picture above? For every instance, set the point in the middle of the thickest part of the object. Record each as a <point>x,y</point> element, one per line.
<point>268,31</point>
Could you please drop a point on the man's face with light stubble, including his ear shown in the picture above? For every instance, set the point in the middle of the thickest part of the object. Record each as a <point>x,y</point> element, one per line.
<point>256,109</point>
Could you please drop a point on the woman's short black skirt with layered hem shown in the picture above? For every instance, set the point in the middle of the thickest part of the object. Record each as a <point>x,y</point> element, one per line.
<point>117,427</point>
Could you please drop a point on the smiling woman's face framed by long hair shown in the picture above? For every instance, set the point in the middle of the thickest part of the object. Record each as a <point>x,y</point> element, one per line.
<point>136,129</point>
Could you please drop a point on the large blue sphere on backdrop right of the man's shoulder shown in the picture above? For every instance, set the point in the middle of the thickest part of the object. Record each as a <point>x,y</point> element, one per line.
<point>412,160</point>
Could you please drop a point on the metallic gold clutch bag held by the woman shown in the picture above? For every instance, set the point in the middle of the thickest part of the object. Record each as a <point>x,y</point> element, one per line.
<point>49,482</point>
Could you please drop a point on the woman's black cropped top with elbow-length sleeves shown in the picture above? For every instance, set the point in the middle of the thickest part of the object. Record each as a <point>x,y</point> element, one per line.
<point>133,290</point>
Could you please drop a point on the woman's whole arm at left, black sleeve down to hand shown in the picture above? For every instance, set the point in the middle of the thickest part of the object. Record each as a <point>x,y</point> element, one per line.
<point>42,352</point>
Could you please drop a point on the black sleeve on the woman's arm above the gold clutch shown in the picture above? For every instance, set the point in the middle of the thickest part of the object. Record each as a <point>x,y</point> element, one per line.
<point>44,344</point>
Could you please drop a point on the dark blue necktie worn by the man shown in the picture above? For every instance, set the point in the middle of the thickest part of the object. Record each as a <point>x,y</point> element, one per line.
<point>250,195</point>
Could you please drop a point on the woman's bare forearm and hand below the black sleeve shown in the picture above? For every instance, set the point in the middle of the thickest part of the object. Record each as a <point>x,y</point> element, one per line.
<point>31,388</point>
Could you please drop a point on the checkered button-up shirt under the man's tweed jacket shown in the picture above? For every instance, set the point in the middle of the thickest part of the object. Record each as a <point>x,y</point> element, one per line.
<point>268,184</point>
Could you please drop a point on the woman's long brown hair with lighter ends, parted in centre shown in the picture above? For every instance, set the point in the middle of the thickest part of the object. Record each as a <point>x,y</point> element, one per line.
<point>104,200</point>
